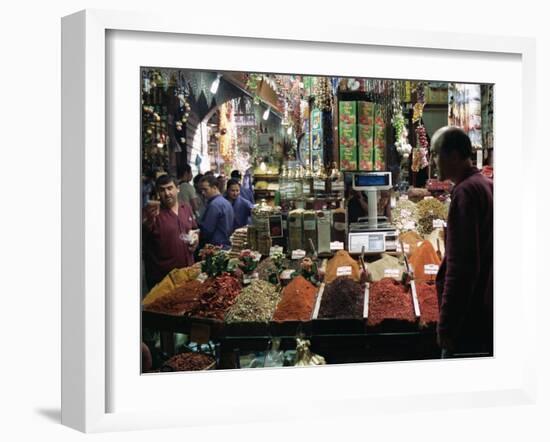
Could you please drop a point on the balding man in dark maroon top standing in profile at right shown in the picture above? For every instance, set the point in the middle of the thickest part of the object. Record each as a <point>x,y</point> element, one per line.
<point>465,278</point>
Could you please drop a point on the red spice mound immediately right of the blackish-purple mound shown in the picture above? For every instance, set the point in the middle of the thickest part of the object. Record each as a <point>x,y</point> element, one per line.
<point>389,299</point>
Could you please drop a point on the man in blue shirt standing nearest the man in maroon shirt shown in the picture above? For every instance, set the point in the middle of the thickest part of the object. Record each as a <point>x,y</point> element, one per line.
<point>216,223</point>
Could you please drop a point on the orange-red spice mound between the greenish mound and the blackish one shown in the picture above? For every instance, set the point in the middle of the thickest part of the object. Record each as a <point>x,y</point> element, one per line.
<point>297,301</point>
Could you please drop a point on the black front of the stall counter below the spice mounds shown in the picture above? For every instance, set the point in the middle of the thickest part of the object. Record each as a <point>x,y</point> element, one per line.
<point>338,340</point>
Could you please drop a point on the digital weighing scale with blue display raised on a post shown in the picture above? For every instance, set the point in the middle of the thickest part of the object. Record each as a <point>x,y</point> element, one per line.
<point>374,234</point>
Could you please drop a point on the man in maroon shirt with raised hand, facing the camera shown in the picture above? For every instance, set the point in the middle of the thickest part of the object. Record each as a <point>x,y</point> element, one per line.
<point>167,243</point>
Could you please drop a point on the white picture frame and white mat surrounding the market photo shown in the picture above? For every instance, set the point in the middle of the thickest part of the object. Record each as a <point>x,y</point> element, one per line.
<point>103,385</point>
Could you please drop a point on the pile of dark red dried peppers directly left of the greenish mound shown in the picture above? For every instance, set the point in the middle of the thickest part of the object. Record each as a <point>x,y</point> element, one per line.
<point>220,294</point>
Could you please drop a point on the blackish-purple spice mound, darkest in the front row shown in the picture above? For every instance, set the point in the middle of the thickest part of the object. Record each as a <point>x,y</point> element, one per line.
<point>343,298</point>
